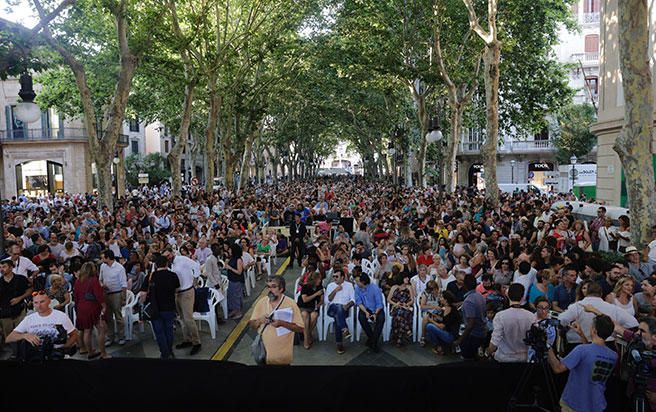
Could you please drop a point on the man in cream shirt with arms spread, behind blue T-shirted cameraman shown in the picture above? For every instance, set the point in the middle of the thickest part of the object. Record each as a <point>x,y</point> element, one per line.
<point>576,313</point>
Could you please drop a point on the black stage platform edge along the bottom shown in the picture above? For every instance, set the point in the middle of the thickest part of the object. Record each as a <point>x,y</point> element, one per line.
<point>158,385</point>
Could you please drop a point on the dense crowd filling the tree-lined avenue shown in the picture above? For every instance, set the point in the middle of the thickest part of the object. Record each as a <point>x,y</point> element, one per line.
<point>406,264</point>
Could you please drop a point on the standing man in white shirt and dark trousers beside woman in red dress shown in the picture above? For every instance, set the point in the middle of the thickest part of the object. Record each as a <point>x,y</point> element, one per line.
<point>115,284</point>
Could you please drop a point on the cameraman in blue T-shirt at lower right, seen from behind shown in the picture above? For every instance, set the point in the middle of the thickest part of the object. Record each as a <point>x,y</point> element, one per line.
<point>589,366</point>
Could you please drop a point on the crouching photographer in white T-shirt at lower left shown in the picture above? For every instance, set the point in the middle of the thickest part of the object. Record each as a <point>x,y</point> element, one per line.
<point>46,334</point>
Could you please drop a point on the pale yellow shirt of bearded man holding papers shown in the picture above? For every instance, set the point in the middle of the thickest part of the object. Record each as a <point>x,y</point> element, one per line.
<point>280,349</point>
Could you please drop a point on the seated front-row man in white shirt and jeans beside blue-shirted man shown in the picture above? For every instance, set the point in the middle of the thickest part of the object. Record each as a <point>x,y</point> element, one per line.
<point>340,297</point>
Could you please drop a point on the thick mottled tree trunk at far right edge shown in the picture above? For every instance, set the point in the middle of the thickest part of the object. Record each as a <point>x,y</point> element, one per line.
<point>633,144</point>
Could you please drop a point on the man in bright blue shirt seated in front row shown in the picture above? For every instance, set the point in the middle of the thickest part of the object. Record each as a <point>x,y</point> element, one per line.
<point>369,299</point>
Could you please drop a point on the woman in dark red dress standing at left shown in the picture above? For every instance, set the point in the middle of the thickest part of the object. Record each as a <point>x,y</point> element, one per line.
<point>90,308</point>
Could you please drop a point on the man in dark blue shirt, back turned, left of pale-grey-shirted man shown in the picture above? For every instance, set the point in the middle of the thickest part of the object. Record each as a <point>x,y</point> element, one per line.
<point>473,311</point>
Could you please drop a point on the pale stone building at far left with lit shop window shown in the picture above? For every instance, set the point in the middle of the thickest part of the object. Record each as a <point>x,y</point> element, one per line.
<point>51,155</point>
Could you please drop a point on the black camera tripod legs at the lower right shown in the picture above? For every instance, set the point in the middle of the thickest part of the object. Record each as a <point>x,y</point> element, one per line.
<point>541,363</point>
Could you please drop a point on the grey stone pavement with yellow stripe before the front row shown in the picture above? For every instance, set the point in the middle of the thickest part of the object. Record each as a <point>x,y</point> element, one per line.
<point>233,340</point>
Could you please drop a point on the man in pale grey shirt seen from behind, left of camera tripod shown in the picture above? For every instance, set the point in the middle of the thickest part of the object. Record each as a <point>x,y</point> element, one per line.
<point>510,326</point>
